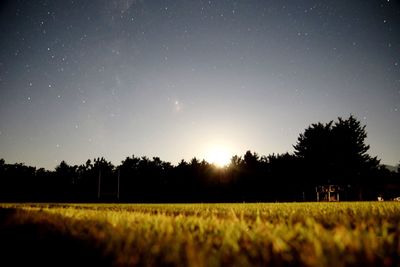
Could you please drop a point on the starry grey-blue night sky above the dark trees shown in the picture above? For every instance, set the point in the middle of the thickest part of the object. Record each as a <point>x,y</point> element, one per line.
<point>175,78</point>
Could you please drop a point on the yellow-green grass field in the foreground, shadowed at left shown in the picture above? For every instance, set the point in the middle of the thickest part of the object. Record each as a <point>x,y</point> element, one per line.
<point>282,234</point>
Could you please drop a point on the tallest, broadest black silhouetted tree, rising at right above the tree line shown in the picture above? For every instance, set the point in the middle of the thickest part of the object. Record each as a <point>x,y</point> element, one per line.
<point>336,153</point>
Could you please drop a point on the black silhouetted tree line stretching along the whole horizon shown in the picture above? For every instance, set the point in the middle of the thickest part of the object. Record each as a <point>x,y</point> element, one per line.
<point>325,153</point>
